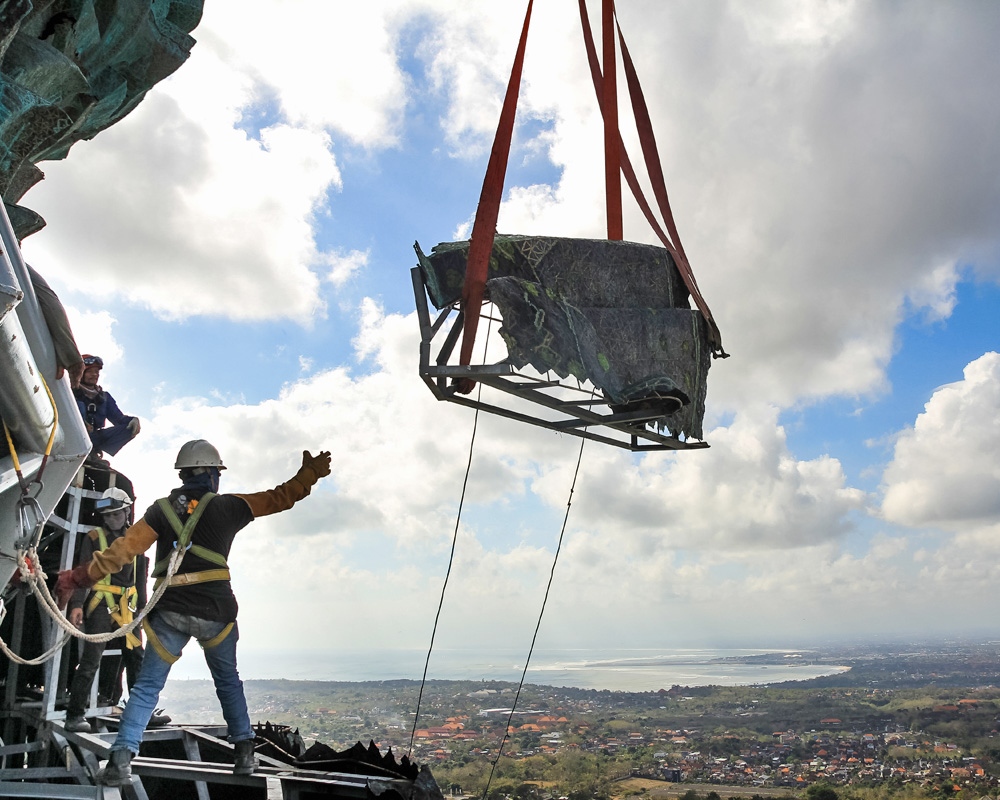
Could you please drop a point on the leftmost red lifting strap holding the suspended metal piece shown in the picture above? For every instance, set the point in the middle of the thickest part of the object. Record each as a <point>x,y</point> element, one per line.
<point>485,225</point>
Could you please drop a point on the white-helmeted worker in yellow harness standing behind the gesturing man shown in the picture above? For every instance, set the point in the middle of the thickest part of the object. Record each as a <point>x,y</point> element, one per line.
<point>107,606</point>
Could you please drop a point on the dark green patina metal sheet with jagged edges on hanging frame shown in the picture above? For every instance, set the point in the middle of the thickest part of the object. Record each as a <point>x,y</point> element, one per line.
<point>614,313</point>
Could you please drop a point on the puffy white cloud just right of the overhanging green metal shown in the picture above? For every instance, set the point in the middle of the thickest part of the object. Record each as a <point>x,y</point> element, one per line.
<point>199,219</point>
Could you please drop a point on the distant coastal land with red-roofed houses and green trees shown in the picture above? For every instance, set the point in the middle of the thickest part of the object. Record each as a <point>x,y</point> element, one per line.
<point>921,719</point>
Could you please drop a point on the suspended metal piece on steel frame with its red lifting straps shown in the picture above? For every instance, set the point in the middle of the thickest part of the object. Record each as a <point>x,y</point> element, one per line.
<point>600,333</point>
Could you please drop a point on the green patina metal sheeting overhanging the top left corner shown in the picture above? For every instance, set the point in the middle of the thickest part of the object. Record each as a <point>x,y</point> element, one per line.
<point>71,68</point>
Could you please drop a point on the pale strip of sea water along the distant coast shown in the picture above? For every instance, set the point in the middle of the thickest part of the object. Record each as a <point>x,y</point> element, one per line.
<point>635,670</point>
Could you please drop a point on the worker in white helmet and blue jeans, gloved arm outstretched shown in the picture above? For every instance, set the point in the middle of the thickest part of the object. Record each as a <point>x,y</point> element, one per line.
<point>199,602</point>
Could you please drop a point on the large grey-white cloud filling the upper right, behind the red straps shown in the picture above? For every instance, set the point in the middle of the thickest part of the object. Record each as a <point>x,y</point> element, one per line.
<point>823,171</point>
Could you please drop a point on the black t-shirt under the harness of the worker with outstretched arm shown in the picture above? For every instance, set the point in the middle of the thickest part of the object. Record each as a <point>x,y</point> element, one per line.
<point>225,516</point>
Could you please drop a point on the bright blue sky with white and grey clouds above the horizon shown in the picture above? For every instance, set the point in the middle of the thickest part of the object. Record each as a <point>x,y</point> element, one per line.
<point>238,251</point>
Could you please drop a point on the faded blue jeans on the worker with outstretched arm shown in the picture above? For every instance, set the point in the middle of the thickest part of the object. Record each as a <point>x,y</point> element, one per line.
<point>174,631</point>
